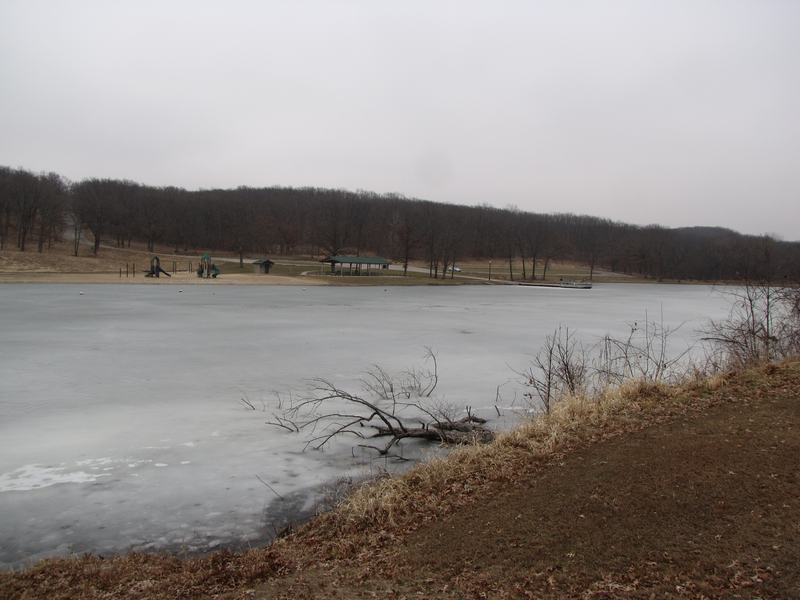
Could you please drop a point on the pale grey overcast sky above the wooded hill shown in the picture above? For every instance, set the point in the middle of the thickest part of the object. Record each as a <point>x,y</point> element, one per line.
<point>678,113</point>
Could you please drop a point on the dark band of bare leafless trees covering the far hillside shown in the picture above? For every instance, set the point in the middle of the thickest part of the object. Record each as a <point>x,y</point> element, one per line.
<point>38,208</point>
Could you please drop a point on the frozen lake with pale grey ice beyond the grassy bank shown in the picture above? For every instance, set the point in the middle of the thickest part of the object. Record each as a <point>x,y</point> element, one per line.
<point>120,421</point>
